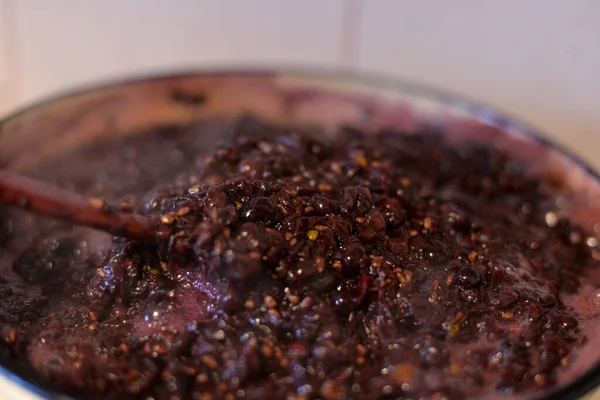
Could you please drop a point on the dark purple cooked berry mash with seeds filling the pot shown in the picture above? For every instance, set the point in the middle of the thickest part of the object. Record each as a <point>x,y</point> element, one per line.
<point>383,266</point>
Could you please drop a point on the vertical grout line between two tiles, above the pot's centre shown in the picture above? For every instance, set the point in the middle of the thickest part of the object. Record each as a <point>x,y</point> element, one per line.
<point>352,18</point>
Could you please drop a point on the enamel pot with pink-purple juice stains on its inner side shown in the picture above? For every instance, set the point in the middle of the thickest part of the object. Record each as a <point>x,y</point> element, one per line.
<point>39,135</point>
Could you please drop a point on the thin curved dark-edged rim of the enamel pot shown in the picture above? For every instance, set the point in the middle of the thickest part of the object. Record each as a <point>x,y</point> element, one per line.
<point>474,109</point>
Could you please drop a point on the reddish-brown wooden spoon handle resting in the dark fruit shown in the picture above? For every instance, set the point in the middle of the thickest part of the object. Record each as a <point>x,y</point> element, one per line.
<point>49,200</point>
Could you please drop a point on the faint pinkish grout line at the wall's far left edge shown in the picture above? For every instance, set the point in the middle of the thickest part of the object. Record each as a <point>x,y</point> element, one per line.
<point>11,85</point>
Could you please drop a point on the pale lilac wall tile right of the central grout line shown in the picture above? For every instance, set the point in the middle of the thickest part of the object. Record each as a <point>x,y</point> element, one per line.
<point>537,59</point>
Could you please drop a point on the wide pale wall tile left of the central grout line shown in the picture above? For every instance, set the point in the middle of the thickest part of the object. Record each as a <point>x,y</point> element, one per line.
<point>61,43</point>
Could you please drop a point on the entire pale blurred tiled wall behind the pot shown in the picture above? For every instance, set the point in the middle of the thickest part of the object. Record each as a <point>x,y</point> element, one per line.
<point>537,59</point>
